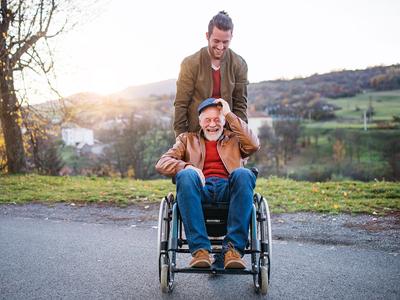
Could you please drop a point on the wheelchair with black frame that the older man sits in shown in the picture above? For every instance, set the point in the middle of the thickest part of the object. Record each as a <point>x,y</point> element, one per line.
<point>171,241</point>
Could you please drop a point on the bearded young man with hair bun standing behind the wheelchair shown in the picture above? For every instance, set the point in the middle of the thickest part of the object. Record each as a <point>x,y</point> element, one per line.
<point>214,71</point>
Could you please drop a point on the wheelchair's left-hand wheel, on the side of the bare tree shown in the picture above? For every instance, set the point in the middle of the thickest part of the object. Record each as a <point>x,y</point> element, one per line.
<point>164,265</point>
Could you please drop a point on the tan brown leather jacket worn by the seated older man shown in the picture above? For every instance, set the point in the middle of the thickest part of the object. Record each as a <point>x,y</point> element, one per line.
<point>189,148</point>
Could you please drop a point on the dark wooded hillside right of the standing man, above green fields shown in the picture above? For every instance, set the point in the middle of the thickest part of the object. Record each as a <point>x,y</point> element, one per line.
<point>307,97</point>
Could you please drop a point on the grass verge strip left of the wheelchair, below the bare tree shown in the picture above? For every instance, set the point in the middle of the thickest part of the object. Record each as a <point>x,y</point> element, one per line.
<point>48,189</point>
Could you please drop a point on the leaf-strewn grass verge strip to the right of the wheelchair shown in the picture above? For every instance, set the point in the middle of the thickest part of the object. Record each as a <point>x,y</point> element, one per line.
<point>331,197</point>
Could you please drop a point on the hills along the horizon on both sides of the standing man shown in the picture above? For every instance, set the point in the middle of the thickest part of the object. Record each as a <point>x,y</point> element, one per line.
<point>299,97</point>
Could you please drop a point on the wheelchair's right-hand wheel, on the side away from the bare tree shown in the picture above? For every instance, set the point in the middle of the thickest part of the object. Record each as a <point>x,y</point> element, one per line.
<point>262,279</point>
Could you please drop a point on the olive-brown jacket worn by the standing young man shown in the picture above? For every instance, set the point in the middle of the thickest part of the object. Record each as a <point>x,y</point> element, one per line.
<point>195,84</point>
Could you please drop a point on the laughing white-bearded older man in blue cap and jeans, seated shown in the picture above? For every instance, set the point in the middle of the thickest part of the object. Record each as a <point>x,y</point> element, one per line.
<point>209,168</point>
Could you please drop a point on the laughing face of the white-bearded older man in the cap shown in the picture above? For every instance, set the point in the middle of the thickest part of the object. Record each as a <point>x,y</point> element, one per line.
<point>212,122</point>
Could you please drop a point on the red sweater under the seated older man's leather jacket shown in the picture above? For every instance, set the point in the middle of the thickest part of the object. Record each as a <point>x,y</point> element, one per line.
<point>213,165</point>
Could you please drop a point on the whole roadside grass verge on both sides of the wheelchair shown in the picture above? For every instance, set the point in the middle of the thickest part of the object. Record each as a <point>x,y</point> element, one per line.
<point>283,195</point>
